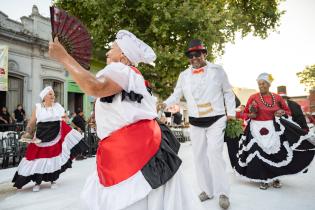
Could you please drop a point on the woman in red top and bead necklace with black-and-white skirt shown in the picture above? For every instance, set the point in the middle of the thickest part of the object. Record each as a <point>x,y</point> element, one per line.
<point>272,145</point>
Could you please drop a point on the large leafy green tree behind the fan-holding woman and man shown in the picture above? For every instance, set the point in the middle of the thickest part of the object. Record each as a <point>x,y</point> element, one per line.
<point>168,25</point>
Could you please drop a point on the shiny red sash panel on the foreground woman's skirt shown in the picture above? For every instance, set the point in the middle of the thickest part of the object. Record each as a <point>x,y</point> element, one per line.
<point>126,151</point>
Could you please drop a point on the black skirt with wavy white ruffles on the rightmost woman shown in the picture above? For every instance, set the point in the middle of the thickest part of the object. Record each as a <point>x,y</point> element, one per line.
<point>270,149</point>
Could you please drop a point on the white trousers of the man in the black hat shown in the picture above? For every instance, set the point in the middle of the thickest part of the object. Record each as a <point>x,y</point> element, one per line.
<point>207,145</point>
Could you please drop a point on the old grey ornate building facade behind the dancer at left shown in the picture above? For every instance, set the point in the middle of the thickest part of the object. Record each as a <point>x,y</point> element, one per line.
<point>30,69</point>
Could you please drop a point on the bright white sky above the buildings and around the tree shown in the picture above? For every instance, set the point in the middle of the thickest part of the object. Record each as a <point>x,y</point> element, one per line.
<point>285,52</point>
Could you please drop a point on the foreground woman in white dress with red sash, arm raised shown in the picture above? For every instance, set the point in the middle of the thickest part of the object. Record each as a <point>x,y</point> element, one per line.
<point>137,162</point>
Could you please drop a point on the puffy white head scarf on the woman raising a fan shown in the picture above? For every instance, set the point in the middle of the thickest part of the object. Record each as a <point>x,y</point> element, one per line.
<point>134,49</point>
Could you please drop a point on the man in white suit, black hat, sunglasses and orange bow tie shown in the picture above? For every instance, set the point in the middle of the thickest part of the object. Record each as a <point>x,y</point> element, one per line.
<point>211,102</point>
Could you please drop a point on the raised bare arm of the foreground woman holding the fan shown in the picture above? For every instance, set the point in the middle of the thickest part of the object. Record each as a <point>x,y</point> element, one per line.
<point>98,87</point>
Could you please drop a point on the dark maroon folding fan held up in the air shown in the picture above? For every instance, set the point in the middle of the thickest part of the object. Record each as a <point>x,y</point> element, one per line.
<point>72,35</point>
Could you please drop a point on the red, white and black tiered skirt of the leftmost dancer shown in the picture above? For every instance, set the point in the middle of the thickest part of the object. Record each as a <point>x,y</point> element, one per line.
<point>47,160</point>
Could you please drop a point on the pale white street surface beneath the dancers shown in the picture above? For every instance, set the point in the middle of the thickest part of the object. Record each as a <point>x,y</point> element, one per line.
<point>297,193</point>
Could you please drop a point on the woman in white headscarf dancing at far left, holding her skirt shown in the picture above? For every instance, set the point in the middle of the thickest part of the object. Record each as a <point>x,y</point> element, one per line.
<point>53,146</point>
